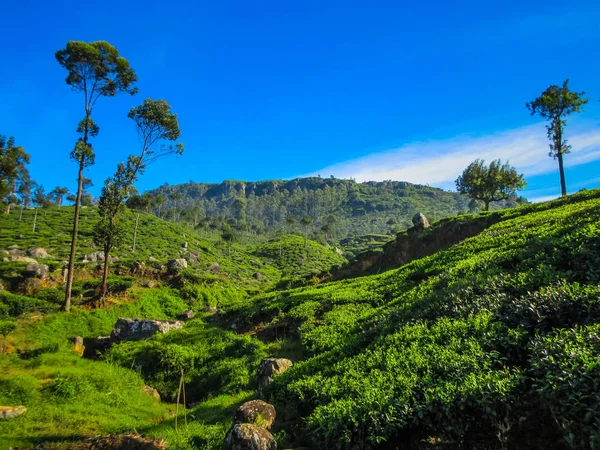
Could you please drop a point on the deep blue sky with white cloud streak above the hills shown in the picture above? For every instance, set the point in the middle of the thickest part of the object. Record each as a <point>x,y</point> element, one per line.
<point>276,89</point>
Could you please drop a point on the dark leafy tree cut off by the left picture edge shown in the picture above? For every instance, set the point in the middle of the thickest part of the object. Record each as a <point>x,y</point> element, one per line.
<point>13,169</point>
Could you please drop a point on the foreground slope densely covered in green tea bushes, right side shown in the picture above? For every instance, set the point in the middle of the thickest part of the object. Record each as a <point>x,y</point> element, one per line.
<point>487,343</point>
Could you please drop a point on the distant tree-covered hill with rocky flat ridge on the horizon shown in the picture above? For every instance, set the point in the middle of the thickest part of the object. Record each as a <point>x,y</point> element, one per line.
<point>352,208</point>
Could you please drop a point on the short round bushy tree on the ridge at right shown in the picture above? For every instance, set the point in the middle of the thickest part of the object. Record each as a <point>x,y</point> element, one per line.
<point>491,183</point>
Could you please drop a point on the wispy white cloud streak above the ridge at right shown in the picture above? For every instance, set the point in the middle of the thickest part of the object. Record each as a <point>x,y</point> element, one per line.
<point>440,162</point>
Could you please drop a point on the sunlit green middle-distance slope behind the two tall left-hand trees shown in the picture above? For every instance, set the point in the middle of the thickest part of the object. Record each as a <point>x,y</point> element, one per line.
<point>156,238</point>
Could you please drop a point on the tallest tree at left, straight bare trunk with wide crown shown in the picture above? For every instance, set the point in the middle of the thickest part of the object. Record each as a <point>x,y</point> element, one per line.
<point>96,70</point>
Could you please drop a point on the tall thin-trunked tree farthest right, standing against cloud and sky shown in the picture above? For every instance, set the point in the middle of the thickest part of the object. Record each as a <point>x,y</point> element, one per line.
<point>554,105</point>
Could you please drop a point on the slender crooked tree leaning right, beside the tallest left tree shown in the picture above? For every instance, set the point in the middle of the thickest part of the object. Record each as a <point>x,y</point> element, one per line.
<point>155,124</point>
